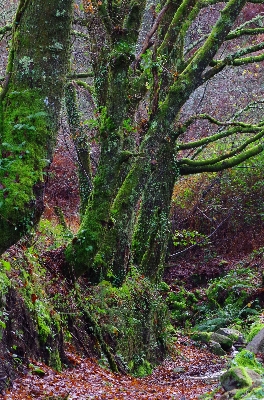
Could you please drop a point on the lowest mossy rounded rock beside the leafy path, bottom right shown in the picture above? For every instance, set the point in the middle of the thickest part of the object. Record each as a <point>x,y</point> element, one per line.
<point>236,378</point>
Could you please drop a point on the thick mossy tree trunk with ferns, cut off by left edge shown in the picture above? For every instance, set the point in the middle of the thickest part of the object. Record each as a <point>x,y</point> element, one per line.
<point>30,106</point>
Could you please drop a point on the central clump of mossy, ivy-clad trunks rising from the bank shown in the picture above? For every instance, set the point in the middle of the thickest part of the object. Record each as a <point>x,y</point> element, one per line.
<point>113,234</point>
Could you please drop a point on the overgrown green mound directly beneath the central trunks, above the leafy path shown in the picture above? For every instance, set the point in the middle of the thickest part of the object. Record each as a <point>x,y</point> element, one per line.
<point>135,317</point>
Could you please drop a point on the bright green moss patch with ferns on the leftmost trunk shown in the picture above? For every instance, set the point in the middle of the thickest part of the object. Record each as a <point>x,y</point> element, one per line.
<point>23,156</point>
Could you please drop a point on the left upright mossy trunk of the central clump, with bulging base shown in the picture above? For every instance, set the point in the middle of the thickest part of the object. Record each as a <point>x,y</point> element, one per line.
<point>111,71</point>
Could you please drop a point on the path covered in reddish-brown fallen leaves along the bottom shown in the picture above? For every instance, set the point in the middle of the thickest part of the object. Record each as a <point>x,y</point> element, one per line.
<point>178,378</point>
